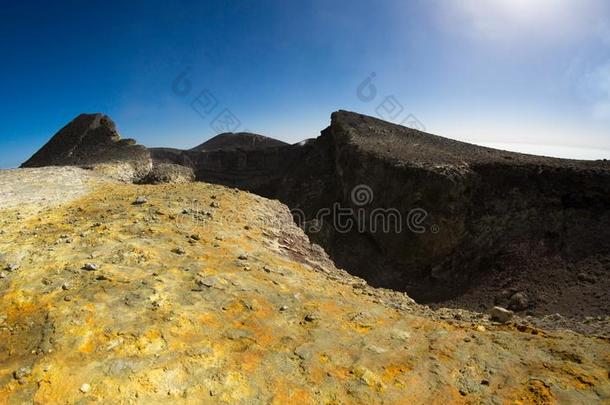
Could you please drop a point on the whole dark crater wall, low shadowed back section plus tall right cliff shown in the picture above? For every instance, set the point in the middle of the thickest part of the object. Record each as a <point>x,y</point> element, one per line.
<point>465,212</point>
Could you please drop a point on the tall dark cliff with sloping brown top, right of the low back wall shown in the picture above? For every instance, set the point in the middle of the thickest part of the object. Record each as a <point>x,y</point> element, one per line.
<point>478,202</point>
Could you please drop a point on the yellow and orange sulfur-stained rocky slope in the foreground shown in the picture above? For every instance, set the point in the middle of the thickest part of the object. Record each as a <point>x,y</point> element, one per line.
<point>204,294</point>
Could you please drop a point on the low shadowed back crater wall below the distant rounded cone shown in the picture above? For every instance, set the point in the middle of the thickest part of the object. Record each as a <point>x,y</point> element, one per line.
<point>299,175</point>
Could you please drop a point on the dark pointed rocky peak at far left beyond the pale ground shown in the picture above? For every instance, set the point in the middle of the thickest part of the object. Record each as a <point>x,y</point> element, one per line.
<point>90,140</point>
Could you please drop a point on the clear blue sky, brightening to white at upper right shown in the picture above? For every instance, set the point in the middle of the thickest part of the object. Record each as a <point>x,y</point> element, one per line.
<point>531,75</point>
